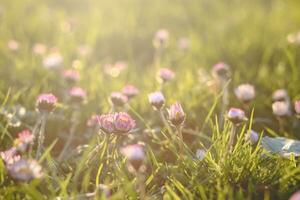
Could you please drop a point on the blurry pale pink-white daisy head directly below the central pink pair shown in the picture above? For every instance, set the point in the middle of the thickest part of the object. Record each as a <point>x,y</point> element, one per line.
<point>135,155</point>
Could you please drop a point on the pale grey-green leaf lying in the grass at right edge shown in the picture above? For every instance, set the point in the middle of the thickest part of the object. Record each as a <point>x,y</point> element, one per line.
<point>282,146</point>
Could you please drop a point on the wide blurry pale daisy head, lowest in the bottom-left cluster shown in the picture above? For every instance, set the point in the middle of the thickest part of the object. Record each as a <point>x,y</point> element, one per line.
<point>25,170</point>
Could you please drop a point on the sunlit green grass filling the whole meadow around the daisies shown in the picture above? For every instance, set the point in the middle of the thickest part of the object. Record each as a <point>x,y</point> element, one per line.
<point>248,35</point>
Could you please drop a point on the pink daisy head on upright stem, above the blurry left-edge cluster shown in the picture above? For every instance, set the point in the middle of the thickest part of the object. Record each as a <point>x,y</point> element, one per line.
<point>46,102</point>
